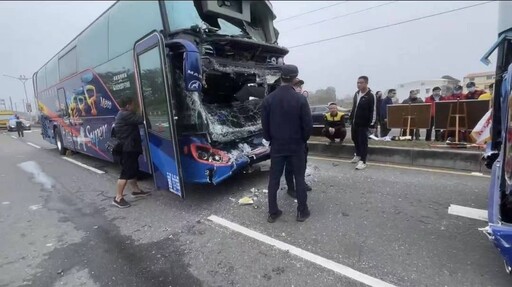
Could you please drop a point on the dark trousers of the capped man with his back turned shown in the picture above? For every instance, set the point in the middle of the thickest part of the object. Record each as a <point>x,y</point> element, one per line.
<point>277,164</point>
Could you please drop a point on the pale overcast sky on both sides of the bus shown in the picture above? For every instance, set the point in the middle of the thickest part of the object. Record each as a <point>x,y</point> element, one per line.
<point>32,32</point>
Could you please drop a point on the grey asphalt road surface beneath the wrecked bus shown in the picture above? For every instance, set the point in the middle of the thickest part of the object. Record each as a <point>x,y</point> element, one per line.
<point>60,229</point>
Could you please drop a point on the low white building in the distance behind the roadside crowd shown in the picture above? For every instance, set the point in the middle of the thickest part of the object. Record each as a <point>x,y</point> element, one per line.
<point>424,87</point>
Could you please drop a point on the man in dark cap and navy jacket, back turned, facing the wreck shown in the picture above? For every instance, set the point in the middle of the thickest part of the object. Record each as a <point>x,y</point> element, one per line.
<point>287,124</point>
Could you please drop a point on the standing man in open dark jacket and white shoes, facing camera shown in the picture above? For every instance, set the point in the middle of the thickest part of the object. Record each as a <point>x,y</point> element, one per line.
<point>362,118</point>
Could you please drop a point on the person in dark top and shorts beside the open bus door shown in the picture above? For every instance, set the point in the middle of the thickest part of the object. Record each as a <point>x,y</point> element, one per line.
<point>126,129</point>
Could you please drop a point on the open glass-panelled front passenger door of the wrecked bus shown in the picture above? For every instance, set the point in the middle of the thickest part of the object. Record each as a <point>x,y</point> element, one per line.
<point>154,93</point>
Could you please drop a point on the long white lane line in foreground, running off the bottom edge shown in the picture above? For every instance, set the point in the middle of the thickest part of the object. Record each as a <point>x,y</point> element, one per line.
<point>329,264</point>
